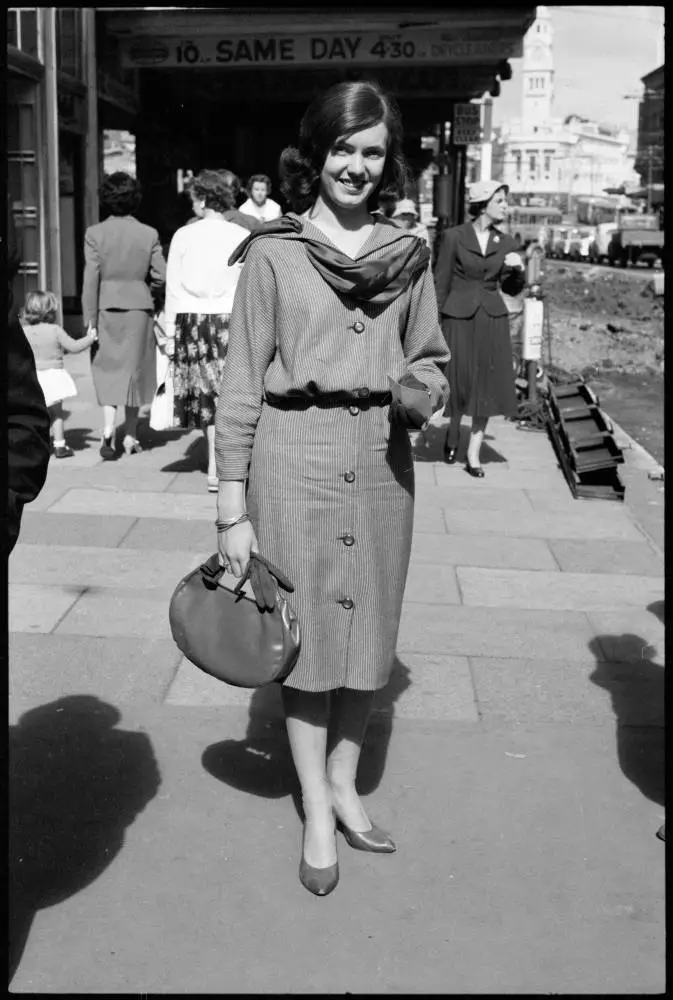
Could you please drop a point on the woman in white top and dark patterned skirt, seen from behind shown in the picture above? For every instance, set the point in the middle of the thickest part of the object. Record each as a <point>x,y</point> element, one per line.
<point>200,289</point>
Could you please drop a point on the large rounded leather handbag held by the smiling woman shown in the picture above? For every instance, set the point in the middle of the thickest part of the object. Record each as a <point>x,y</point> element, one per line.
<point>241,641</point>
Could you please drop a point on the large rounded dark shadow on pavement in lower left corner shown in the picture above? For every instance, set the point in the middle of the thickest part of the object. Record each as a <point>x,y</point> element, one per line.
<point>75,784</point>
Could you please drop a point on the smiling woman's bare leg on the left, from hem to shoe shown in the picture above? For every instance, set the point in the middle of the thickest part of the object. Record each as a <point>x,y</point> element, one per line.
<point>306,715</point>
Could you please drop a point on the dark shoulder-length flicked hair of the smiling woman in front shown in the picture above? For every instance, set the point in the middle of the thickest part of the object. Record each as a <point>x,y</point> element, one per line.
<point>346,108</point>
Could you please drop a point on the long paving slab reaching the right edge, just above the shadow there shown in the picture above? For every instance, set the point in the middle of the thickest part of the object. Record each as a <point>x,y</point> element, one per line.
<point>504,588</point>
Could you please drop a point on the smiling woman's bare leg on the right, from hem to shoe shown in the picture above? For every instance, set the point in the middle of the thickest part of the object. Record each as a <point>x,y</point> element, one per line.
<point>349,715</point>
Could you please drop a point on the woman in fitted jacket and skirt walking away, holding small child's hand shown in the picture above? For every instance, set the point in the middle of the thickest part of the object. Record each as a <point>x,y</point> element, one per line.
<point>121,254</point>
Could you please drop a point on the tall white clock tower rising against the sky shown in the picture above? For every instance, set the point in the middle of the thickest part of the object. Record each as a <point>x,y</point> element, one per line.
<point>538,73</point>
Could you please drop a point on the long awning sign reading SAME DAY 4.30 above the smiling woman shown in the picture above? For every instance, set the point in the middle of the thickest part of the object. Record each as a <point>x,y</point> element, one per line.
<point>328,49</point>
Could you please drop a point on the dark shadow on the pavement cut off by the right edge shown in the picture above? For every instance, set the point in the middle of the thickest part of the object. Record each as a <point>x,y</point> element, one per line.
<point>636,686</point>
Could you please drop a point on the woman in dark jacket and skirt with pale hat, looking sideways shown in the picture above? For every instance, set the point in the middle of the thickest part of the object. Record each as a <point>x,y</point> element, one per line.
<point>474,258</point>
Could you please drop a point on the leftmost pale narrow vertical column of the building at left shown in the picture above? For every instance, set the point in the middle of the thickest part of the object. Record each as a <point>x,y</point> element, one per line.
<point>51,162</point>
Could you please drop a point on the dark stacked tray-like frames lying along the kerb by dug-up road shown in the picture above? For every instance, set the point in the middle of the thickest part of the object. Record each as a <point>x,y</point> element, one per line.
<point>584,442</point>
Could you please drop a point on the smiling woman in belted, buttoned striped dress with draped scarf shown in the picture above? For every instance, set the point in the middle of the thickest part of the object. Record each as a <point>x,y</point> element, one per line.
<point>330,304</point>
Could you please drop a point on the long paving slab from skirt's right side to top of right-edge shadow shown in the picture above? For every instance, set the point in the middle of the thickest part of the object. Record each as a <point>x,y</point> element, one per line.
<point>505,632</point>
